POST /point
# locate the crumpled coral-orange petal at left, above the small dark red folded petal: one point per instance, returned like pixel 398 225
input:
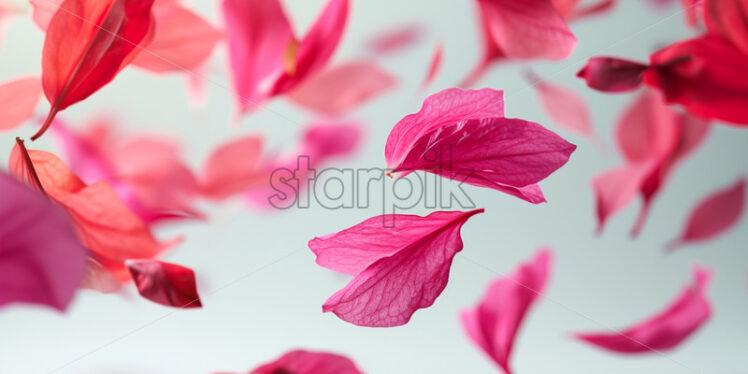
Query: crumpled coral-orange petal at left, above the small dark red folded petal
pixel 102 221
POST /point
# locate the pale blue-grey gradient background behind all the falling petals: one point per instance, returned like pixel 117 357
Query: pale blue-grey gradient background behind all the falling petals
pixel 263 292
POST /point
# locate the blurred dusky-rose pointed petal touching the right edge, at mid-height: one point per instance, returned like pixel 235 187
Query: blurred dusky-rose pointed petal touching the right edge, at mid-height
pixel 714 215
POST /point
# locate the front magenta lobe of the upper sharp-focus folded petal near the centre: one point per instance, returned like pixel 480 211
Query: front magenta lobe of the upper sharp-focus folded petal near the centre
pixel 498 153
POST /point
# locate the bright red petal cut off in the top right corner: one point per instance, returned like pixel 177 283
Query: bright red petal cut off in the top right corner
pixel 729 19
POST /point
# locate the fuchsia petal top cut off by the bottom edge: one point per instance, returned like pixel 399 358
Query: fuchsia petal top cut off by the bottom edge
pixel 305 362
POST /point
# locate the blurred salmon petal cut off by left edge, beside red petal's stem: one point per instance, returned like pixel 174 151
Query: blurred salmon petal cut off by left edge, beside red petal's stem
pixel 19 97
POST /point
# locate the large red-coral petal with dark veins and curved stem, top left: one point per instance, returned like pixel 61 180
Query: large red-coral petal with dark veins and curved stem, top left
pixel 87 43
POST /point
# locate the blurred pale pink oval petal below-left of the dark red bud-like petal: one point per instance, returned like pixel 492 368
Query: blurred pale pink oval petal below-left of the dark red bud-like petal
pixel 565 107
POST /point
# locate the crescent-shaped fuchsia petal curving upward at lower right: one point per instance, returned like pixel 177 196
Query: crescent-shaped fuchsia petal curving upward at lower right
pixel 668 328
